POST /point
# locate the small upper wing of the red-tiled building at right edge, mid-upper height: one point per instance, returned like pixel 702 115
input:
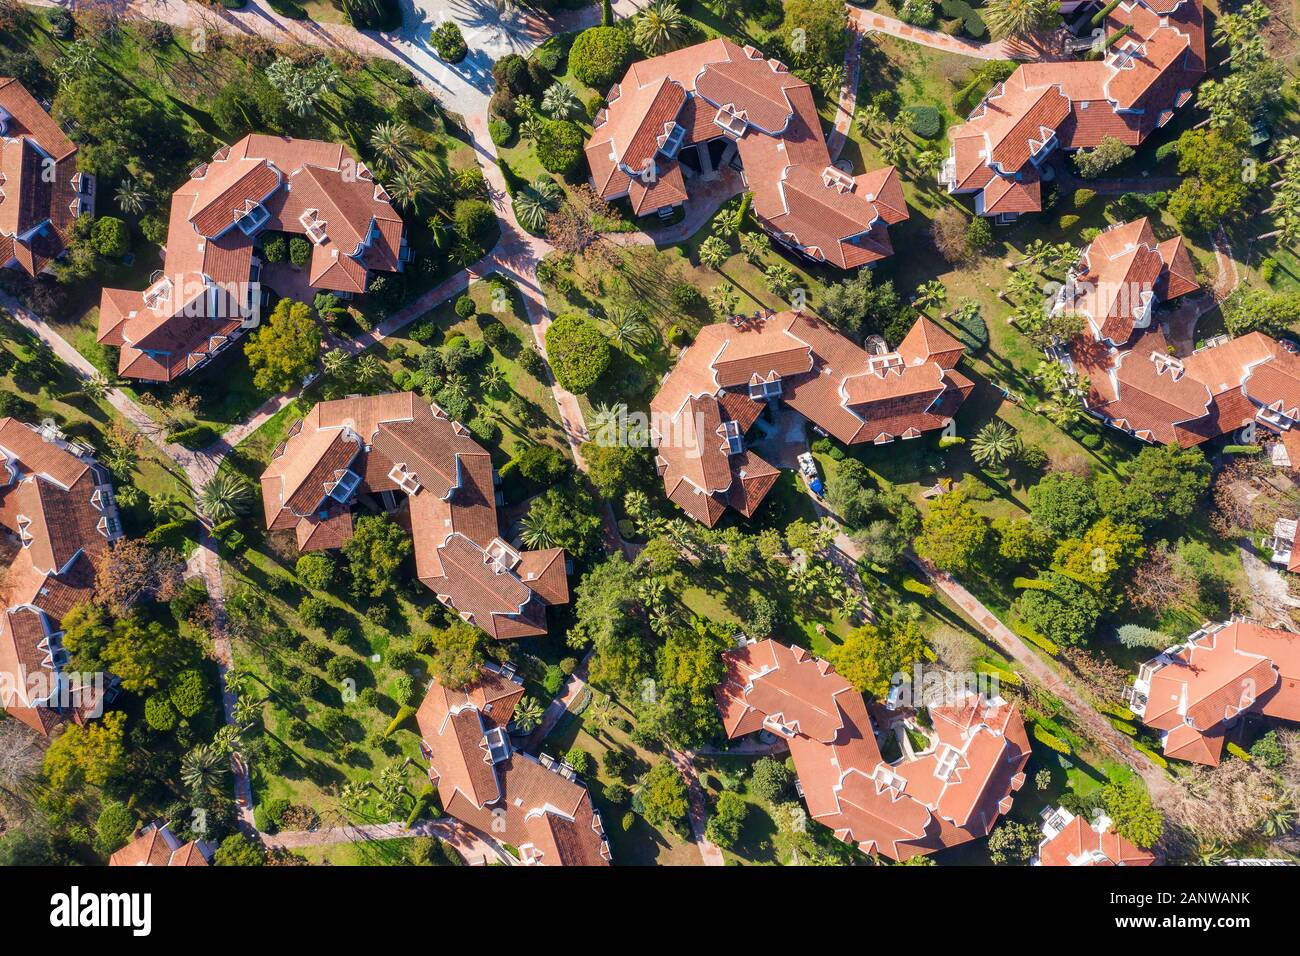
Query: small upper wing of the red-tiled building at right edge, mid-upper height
pixel 1121 278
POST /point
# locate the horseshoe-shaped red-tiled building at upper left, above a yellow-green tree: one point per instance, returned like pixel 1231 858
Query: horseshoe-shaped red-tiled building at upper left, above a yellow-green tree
pixel 209 292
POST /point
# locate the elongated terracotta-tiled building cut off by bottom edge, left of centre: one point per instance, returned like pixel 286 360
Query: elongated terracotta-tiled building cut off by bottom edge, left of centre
pixel 536 806
